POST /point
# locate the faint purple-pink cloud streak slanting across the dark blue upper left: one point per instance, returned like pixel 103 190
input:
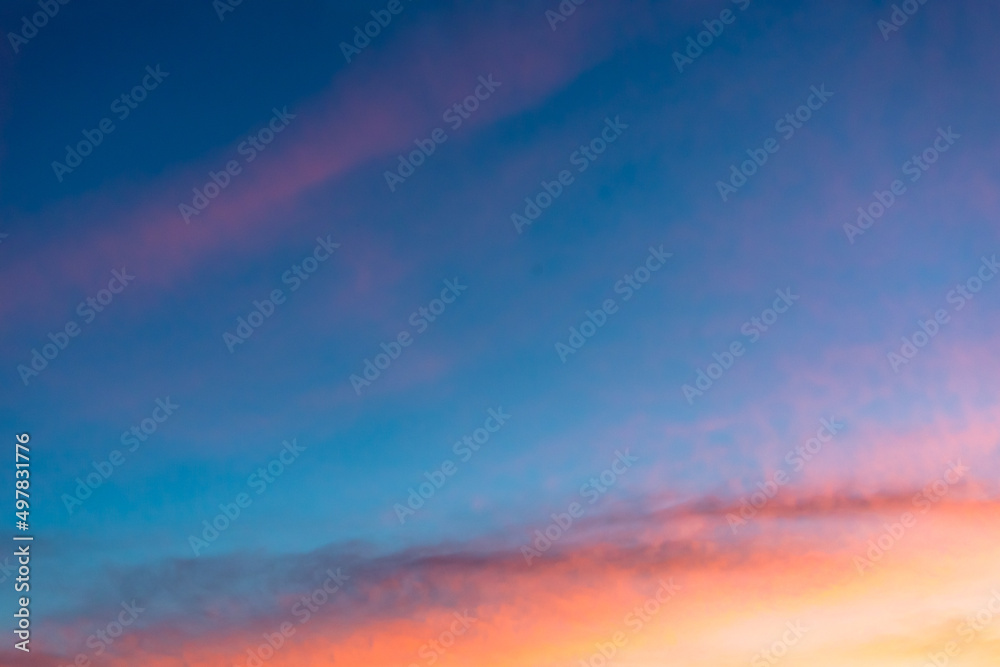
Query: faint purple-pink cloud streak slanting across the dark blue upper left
pixel 373 109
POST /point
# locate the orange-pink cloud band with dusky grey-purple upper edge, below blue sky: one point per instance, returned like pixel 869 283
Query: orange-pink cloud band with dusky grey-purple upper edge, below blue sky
pixel 798 554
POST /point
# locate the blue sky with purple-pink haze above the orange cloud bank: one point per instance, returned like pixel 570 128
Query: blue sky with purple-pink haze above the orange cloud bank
pixel 323 176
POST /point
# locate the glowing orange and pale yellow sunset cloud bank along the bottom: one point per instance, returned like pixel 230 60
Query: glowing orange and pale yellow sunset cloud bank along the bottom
pixel 792 586
